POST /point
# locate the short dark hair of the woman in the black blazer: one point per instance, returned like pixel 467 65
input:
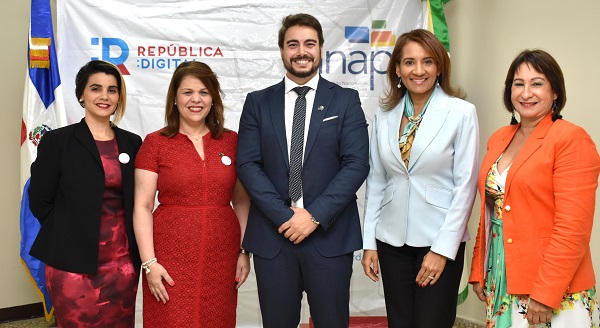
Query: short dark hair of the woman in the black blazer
pixel 100 66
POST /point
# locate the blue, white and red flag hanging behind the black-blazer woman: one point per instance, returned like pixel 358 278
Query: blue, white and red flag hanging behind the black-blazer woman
pixel 43 110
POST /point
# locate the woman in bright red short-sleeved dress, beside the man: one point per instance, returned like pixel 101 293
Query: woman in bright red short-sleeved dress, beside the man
pixel 192 240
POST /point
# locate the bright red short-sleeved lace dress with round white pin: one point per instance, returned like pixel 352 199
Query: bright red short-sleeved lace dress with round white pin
pixel 196 232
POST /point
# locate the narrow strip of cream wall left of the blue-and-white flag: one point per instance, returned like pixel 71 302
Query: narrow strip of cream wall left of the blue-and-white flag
pixel 15 288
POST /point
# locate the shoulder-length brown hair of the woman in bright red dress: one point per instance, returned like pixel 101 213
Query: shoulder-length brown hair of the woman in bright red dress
pixel 215 118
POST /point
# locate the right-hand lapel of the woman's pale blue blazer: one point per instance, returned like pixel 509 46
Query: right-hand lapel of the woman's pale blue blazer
pixel 433 120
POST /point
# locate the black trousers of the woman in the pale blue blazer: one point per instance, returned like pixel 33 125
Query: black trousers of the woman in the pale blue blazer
pixel 408 305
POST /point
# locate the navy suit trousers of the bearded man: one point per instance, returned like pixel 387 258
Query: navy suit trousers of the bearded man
pixel 298 268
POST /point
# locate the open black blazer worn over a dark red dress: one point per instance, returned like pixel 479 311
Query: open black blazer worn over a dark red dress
pixel 66 193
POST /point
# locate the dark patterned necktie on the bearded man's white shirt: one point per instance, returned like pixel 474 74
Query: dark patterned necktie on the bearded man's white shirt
pixel 297 144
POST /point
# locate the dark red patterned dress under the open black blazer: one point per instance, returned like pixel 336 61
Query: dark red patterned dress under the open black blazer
pixel 107 298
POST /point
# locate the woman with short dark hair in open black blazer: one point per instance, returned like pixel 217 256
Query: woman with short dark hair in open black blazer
pixel 81 191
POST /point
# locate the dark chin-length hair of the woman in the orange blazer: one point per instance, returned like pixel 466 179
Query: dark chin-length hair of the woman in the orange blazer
pixel 544 63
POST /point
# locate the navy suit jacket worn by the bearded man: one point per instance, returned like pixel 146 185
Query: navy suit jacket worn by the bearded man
pixel 336 163
